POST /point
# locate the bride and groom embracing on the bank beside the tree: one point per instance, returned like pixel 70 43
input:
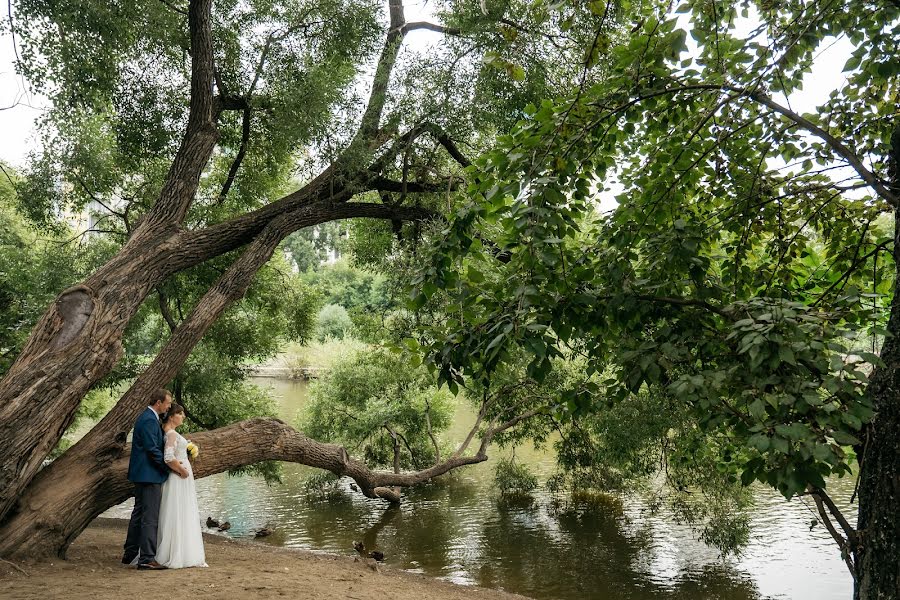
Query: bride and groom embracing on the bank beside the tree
pixel 164 531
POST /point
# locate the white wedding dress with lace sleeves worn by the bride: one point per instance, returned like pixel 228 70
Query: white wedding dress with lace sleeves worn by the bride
pixel 180 542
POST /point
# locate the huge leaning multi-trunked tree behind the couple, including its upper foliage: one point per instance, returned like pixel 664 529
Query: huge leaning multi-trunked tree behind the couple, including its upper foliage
pixel 187 124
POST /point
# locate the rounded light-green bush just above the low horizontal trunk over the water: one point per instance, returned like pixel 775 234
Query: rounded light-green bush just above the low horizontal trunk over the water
pixel 374 397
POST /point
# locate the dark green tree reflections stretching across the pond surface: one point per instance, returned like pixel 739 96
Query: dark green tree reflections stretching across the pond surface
pixel 457 528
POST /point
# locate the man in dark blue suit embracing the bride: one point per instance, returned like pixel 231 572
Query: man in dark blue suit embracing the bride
pixel 147 470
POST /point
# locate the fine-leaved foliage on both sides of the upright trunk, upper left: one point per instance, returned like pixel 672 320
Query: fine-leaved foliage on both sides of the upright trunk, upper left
pixel 118 82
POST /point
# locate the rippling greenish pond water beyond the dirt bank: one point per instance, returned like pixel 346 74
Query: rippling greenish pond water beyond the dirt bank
pixel 456 530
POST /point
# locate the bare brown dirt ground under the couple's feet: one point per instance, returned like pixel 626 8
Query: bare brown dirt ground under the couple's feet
pixel 237 569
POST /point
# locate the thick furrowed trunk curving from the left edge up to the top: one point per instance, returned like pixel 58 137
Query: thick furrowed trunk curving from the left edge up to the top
pixel 78 340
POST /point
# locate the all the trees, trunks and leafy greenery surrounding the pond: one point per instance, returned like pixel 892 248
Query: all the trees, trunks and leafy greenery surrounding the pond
pixel 602 224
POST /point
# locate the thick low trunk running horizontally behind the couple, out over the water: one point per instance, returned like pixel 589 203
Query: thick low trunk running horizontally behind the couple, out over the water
pixel 54 509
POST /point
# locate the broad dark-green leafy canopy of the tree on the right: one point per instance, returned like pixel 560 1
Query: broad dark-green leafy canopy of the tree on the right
pixel 732 276
